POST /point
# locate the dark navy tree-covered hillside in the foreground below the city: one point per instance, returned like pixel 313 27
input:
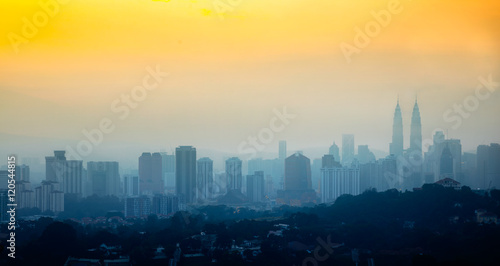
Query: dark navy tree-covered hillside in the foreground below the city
pixel 431 226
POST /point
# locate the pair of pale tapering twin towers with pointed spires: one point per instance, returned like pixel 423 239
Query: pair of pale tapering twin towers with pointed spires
pixel 396 147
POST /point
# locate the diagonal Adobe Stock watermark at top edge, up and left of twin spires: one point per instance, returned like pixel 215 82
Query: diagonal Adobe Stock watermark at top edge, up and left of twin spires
pixel 372 29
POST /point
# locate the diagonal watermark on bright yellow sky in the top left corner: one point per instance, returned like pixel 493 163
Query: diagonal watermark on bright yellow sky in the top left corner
pixel 40 19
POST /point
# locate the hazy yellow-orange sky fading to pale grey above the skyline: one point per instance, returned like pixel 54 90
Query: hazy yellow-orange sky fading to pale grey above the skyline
pixel 227 75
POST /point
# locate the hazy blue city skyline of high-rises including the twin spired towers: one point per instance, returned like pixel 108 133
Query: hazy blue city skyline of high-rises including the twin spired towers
pixel 165 183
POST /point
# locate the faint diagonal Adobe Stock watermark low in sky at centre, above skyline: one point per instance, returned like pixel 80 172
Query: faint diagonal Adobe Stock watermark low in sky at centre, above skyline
pixel 266 135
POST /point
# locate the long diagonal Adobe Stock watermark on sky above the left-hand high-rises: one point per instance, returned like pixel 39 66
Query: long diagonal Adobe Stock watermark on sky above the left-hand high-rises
pixel 121 107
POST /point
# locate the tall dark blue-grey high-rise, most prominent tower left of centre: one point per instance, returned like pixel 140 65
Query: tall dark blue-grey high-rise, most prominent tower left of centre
pixel 185 173
